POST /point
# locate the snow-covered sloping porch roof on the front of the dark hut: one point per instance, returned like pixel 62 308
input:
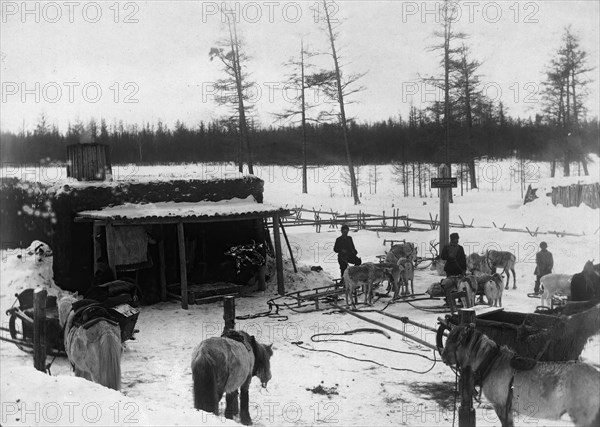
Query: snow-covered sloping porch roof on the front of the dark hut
pixel 185 210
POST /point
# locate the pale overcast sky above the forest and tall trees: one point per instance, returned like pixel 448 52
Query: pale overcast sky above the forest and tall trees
pixel 144 61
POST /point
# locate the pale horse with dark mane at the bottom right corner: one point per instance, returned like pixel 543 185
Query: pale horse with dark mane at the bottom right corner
pixel 551 389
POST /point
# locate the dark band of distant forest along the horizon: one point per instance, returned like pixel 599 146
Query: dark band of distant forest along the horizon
pixel 420 139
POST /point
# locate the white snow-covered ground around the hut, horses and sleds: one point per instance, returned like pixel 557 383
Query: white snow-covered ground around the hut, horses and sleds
pixel 308 387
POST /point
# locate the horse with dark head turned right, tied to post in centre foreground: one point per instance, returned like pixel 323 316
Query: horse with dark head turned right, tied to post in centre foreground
pixel 224 365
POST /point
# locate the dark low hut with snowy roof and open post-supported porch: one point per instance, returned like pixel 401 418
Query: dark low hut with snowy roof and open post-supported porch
pixel 176 238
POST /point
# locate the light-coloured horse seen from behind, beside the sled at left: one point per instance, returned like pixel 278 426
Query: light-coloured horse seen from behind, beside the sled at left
pixel 92 342
